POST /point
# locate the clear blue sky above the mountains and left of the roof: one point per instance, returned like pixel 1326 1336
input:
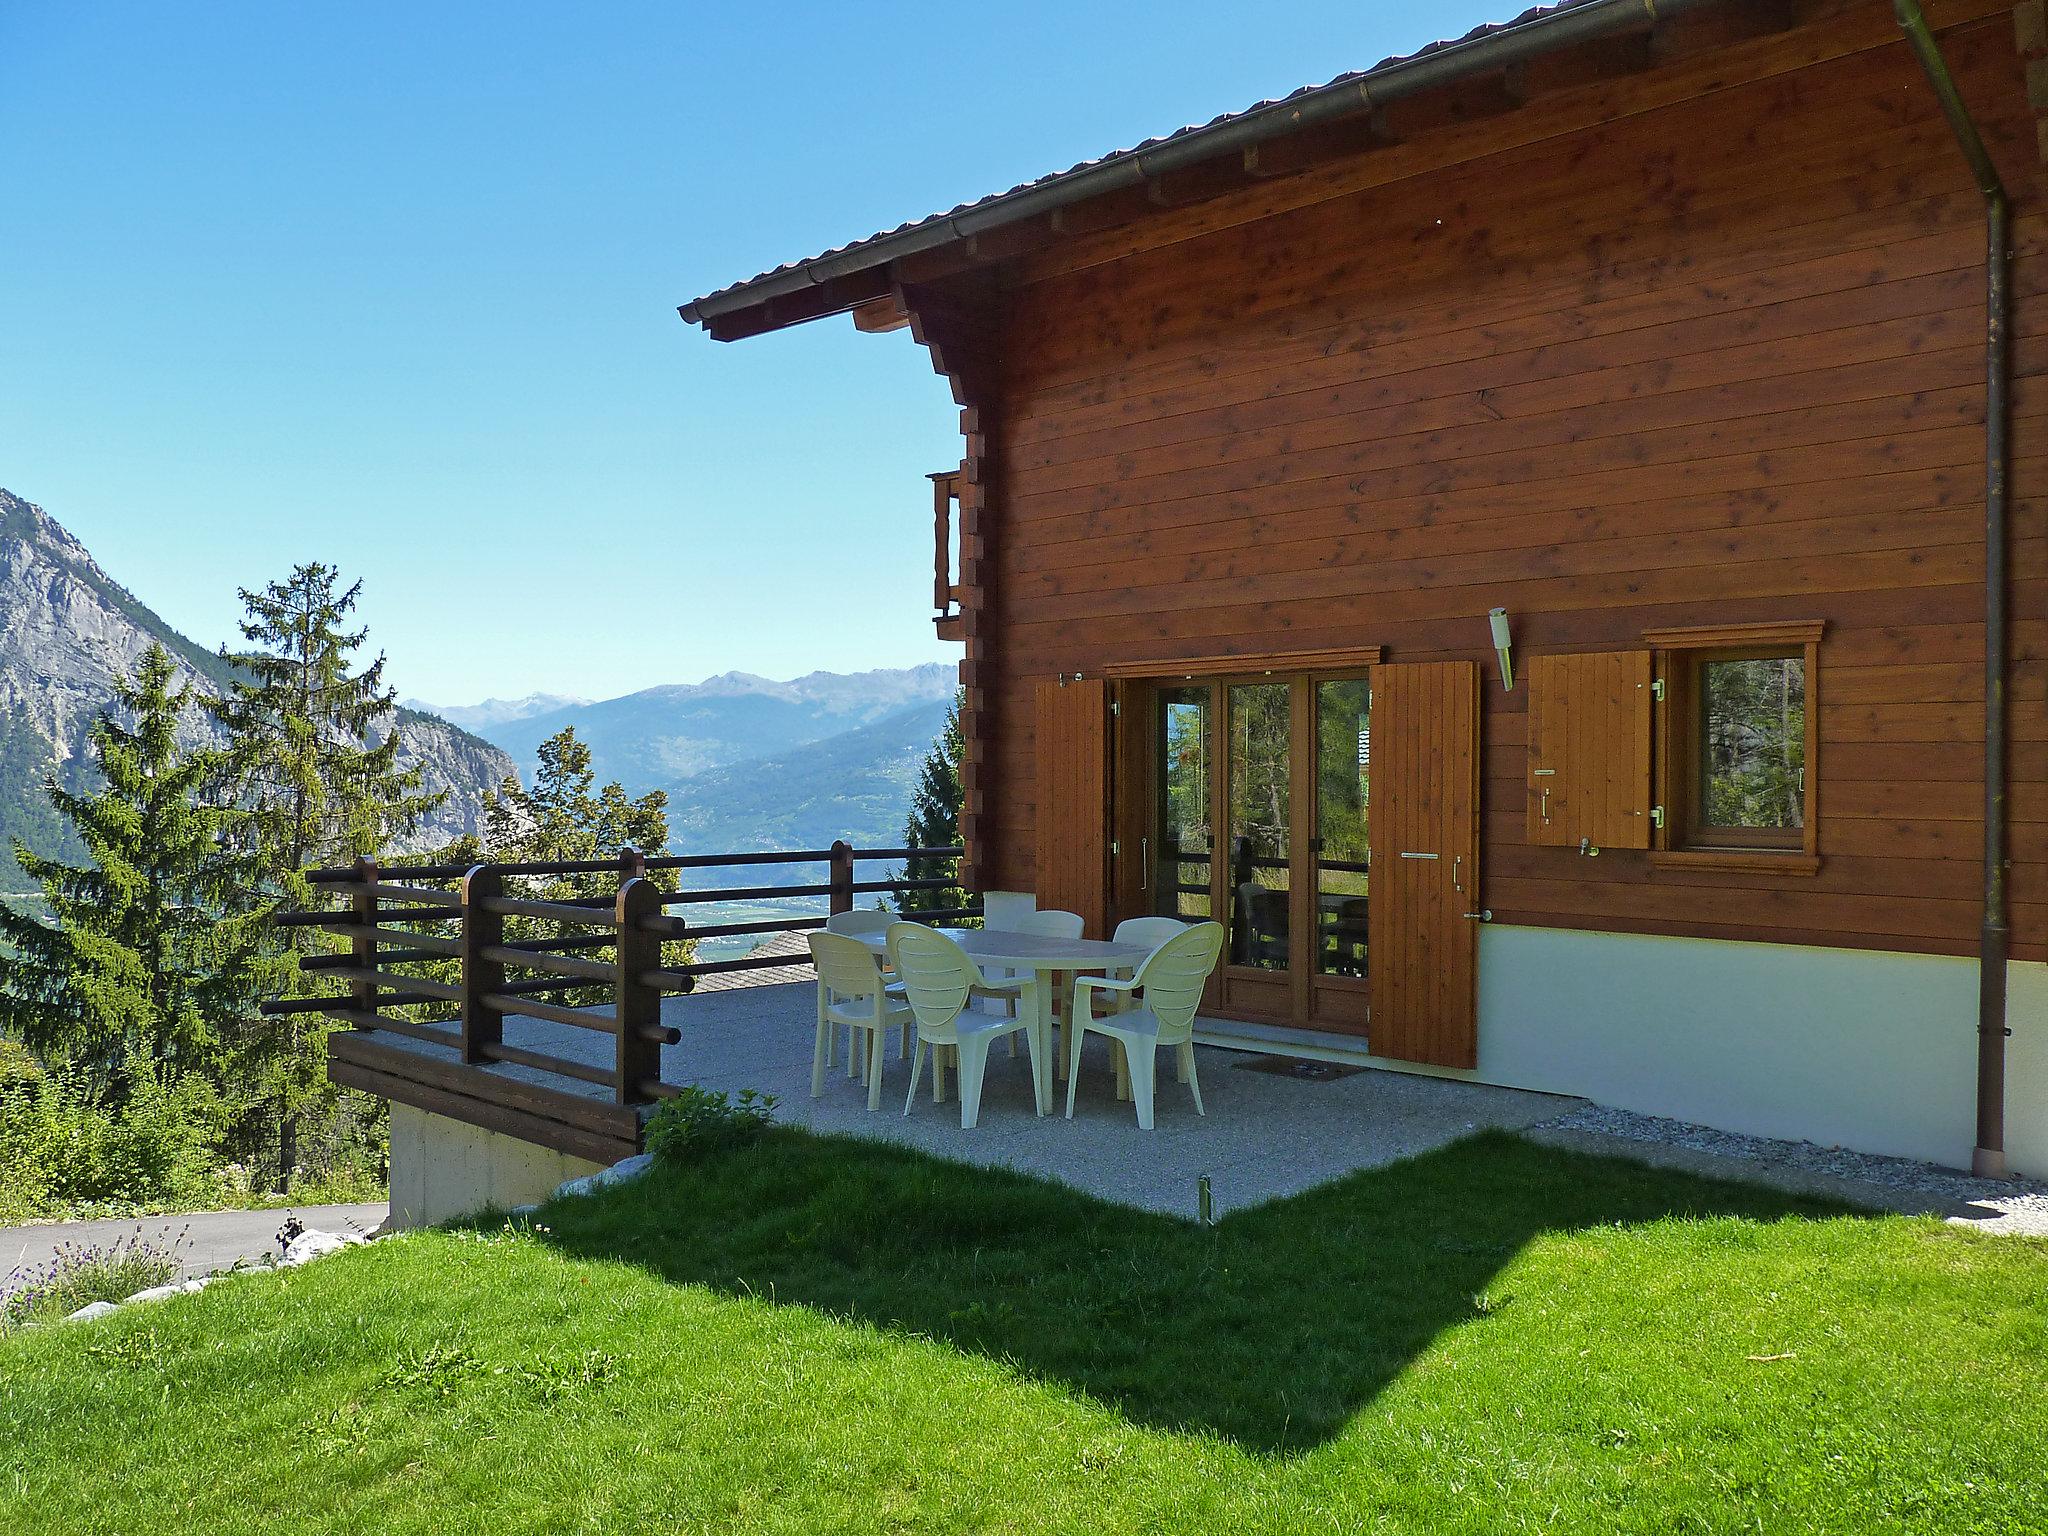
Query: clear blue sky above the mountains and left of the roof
pixel 396 288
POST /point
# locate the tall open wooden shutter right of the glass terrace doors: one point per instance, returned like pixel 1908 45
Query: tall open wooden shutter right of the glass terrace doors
pixel 1422 955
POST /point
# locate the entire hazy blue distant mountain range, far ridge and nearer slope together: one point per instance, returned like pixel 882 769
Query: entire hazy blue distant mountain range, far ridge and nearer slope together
pixel 755 763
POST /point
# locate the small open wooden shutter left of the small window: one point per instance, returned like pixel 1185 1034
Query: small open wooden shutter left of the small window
pixel 1590 751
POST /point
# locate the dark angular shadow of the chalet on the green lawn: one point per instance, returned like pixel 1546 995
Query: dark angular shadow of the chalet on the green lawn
pixel 1271 1328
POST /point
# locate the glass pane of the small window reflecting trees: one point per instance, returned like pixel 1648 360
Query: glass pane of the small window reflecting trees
pixel 1754 744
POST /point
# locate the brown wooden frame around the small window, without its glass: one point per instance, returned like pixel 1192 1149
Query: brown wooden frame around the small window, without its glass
pixel 1682 843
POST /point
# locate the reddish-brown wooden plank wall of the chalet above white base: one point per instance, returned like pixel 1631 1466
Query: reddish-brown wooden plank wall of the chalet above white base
pixel 1713 359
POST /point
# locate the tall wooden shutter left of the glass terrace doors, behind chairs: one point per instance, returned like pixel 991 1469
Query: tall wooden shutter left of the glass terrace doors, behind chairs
pixel 1074 800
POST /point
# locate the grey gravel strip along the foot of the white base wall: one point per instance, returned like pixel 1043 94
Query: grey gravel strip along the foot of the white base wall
pixel 1891 1183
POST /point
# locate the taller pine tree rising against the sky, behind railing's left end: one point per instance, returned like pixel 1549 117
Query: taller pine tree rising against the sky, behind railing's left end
pixel 314 785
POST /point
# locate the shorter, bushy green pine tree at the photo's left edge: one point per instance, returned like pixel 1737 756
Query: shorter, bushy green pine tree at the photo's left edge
pixel 153 945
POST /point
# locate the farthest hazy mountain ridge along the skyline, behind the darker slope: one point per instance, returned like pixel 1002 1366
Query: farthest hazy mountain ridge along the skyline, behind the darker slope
pixel 660 736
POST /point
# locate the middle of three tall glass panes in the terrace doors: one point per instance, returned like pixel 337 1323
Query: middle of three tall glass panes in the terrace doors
pixel 1261 716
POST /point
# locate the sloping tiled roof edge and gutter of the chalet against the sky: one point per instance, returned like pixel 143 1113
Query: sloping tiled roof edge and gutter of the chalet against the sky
pixel 1359 91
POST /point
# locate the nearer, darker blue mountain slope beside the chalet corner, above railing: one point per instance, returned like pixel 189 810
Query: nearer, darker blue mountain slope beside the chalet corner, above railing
pixel 853 785
